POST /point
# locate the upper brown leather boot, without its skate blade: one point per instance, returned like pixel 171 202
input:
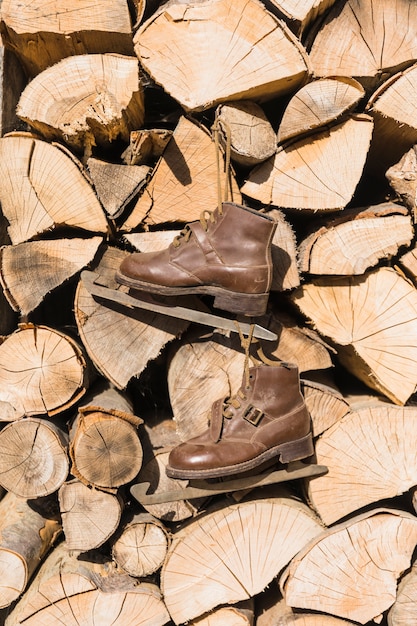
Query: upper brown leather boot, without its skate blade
pixel 227 254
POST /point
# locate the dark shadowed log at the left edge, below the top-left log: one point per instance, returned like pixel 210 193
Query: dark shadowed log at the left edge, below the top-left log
pixel 12 83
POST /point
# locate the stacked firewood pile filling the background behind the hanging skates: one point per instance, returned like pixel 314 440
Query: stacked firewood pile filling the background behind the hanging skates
pixel 106 147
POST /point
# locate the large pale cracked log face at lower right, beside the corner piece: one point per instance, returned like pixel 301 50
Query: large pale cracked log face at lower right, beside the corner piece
pixel 360 560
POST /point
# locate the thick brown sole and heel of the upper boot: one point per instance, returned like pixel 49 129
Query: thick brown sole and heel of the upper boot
pixel 253 305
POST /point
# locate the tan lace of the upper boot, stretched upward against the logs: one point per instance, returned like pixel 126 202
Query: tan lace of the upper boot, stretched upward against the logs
pixel 206 216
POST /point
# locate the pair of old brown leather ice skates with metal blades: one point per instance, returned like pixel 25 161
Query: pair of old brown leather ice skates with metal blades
pixel 227 255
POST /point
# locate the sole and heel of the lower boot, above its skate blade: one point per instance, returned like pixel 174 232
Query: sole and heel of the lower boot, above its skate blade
pixel 291 451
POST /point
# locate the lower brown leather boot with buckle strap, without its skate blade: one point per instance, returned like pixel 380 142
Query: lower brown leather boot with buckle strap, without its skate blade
pixel 267 418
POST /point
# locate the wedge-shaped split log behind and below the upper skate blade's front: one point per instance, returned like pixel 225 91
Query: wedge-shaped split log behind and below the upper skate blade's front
pixel 120 342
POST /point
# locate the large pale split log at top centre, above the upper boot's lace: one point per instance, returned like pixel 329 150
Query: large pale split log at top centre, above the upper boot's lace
pixel 227 52
